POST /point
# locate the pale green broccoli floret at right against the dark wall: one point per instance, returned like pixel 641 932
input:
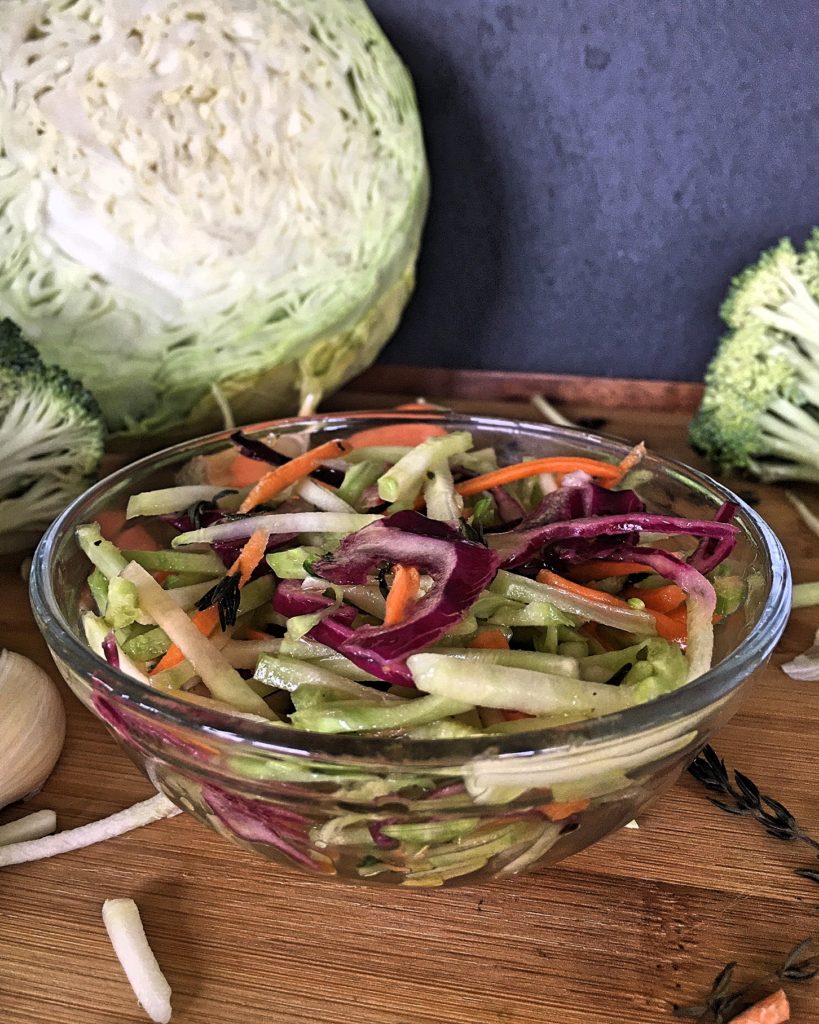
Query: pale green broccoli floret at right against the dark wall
pixel 760 410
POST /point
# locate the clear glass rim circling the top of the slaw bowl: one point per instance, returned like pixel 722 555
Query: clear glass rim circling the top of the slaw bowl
pixel 709 690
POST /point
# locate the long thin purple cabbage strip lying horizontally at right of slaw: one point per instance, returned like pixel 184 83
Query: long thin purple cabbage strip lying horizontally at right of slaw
pixel 518 547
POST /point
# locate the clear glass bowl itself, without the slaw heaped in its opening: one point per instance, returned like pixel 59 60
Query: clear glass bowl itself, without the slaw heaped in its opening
pixel 408 813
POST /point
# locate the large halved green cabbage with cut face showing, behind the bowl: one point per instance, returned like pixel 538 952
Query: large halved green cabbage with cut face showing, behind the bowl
pixel 199 192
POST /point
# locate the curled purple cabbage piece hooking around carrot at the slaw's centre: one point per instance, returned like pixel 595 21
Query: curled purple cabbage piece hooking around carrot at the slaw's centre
pixel 460 570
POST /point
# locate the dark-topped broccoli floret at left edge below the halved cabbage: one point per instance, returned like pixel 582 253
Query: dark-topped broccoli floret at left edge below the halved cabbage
pixel 52 440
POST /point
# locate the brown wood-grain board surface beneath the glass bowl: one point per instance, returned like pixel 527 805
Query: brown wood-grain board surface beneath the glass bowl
pixel 615 935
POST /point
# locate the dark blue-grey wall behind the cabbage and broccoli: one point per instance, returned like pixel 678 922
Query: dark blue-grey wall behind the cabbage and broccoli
pixel 600 170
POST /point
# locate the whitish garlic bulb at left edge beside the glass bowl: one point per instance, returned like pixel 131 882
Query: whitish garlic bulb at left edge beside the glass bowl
pixel 32 728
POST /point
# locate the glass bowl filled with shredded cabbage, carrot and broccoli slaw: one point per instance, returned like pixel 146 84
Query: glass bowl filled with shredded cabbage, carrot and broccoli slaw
pixel 413 649
